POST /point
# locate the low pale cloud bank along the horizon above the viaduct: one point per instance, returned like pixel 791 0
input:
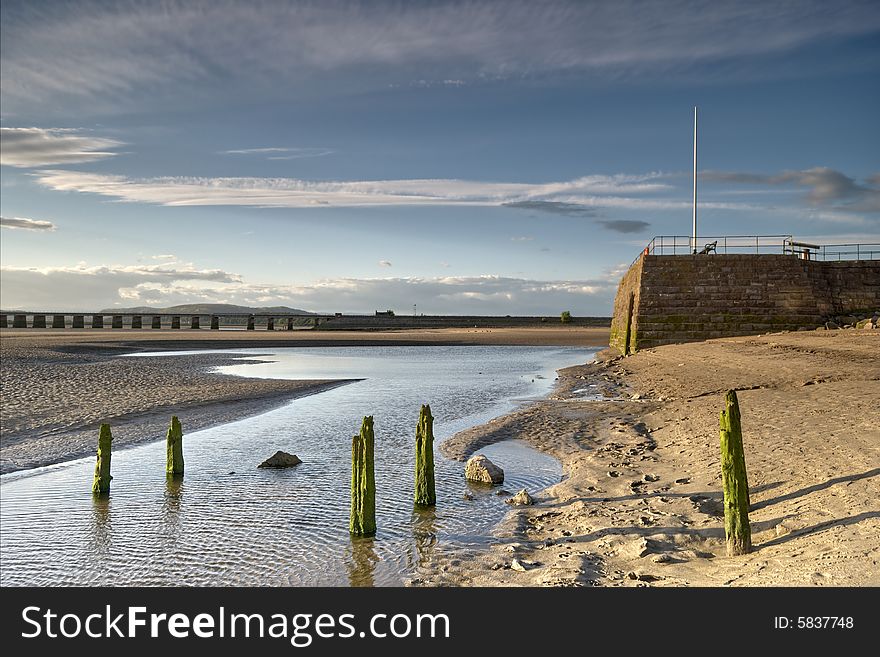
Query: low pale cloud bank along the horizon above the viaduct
pixel 101 286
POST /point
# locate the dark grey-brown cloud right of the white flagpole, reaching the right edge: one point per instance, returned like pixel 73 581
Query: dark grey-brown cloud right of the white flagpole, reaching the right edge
pixel 827 187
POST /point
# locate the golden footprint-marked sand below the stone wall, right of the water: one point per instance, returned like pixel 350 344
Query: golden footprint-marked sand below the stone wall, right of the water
pixel 640 502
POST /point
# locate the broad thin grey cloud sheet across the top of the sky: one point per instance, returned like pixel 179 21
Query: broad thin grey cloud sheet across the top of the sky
pixel 101 50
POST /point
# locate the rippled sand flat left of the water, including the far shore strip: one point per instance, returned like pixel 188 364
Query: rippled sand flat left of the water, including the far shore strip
pixel 58 386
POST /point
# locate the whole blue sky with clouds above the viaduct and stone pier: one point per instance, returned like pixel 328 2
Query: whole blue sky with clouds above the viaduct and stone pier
pixel 448 157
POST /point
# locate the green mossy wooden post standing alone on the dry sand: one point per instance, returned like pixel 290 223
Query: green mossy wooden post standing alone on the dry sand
pixel 734 480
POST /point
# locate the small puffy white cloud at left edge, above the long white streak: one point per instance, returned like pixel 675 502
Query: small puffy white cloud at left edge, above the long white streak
pixel 36 147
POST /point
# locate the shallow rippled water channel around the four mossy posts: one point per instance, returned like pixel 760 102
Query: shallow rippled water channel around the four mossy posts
pixel 229 523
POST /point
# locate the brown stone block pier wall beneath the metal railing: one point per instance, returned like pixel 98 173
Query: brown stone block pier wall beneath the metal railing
pixel 690 298
